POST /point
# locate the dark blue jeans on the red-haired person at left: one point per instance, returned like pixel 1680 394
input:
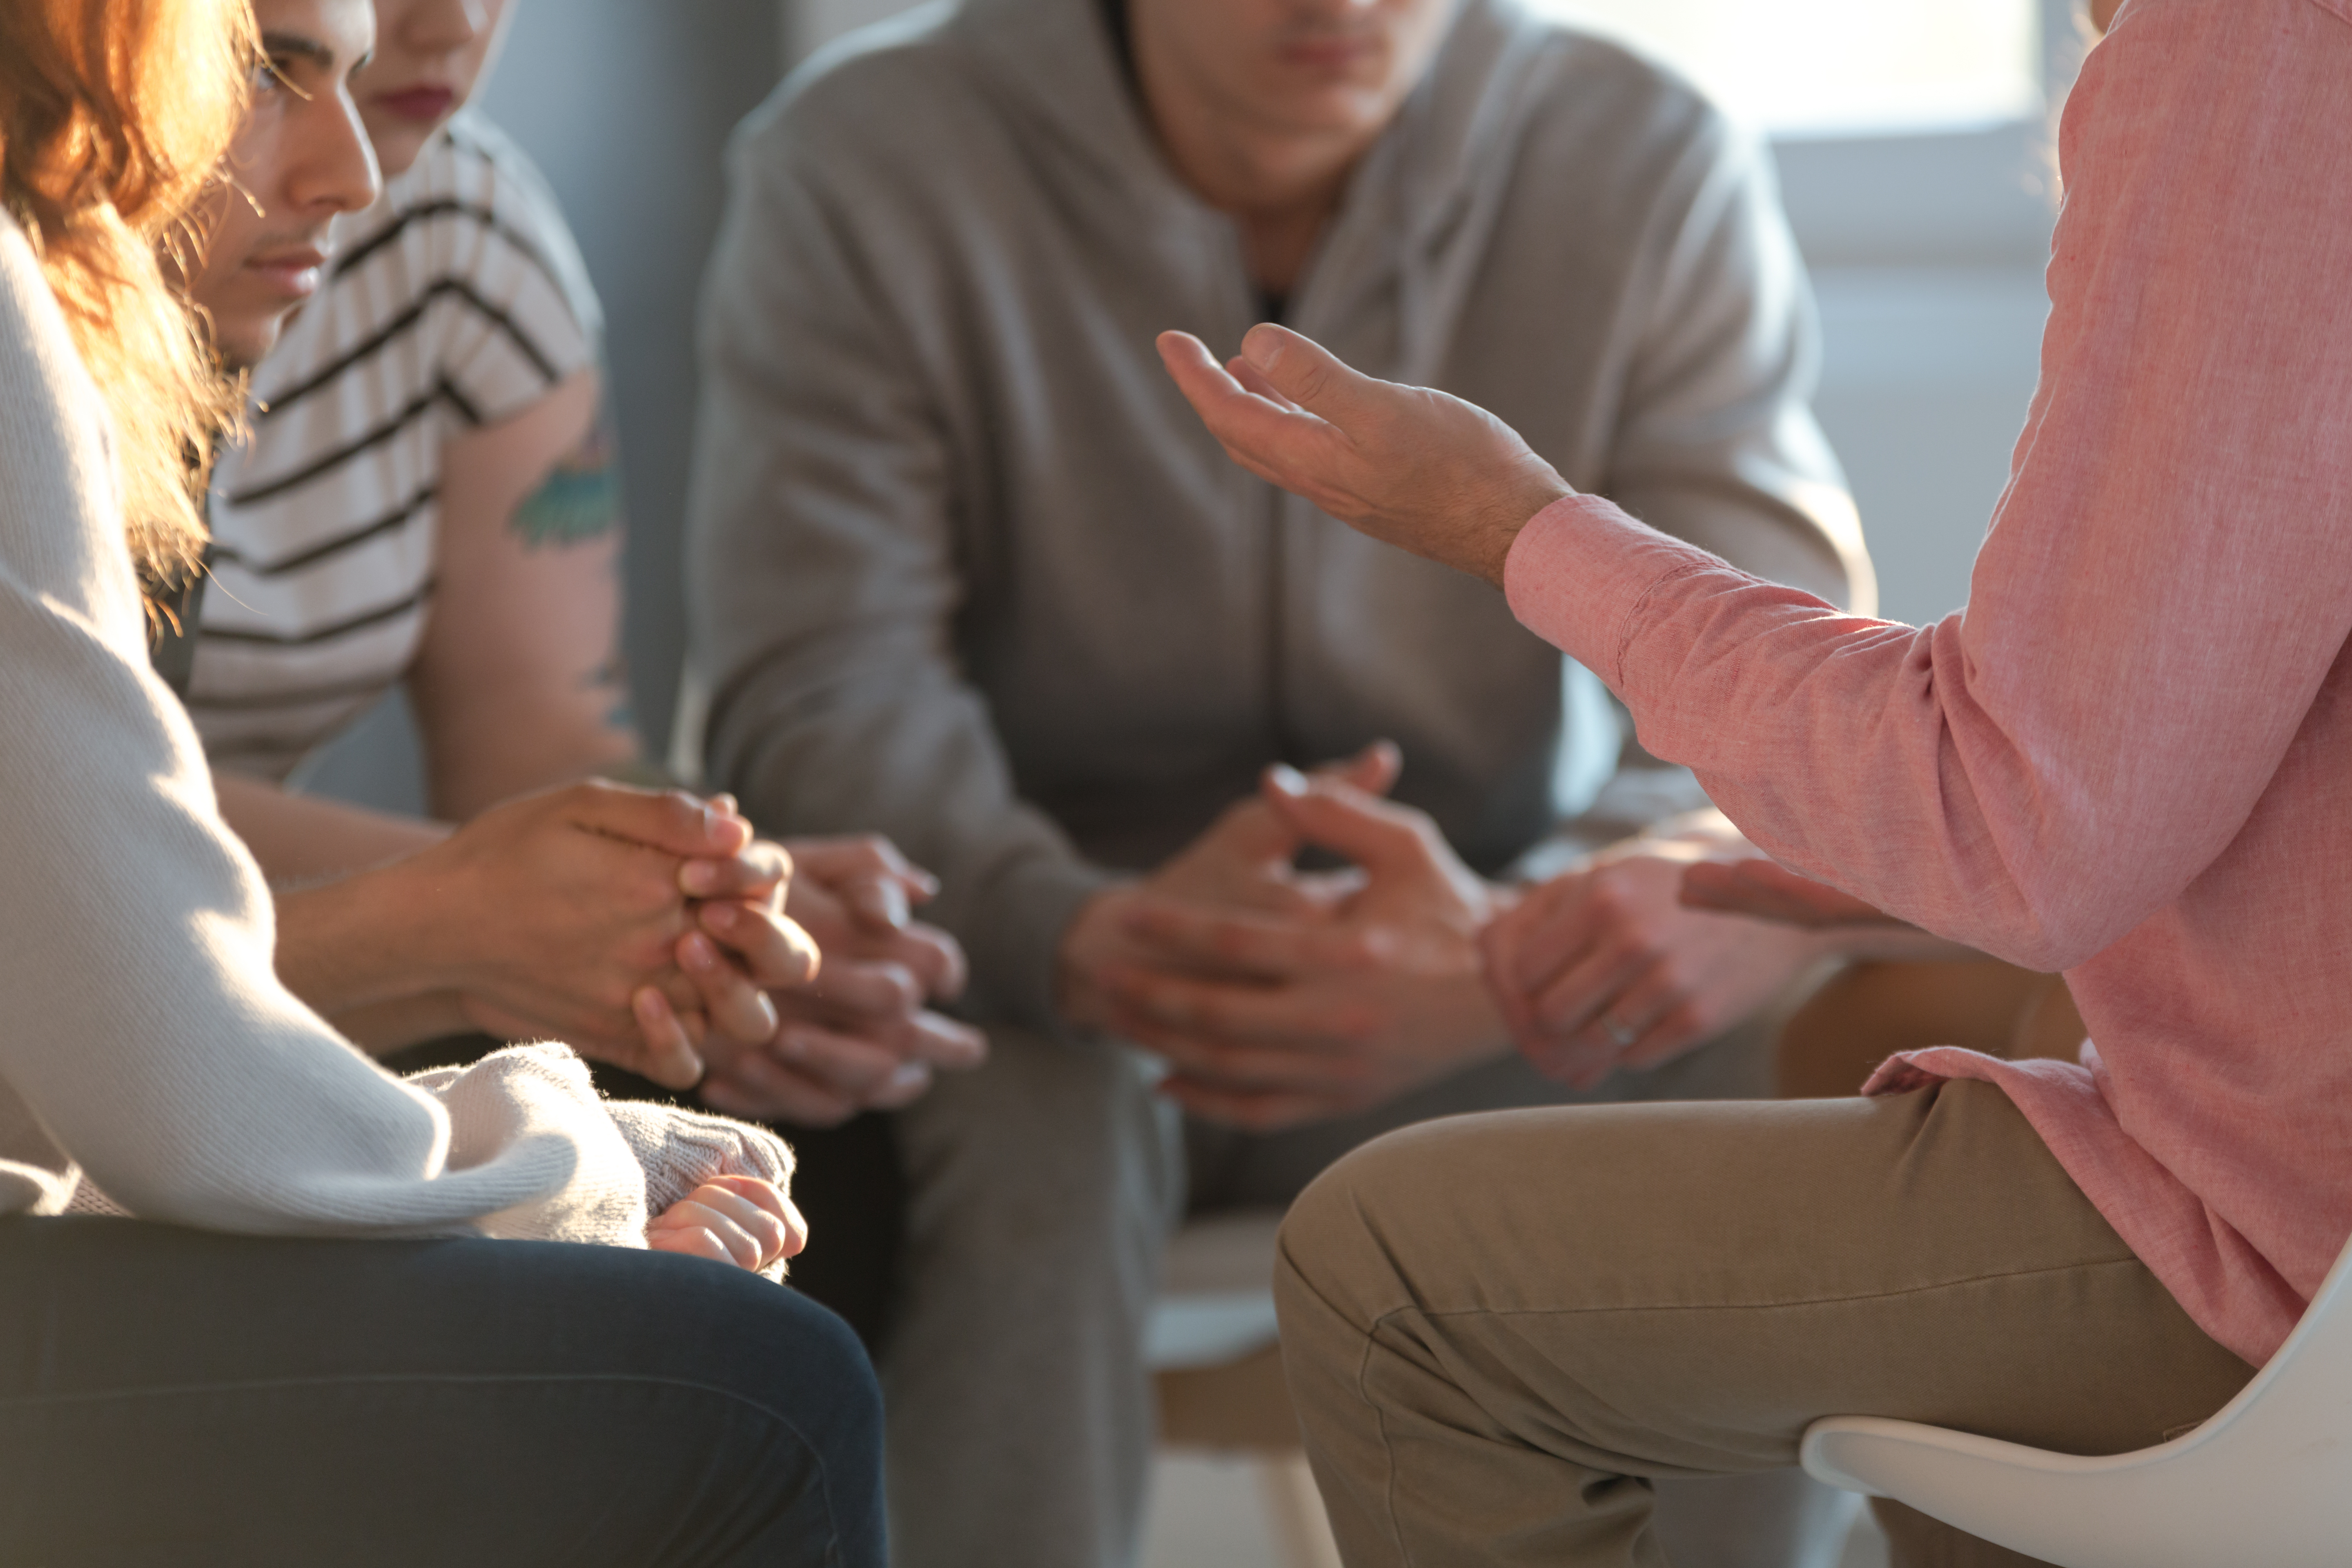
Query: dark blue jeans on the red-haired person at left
pixel 194 1400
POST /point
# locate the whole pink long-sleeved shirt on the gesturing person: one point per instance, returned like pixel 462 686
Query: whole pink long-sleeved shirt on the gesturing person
pixel 2130 756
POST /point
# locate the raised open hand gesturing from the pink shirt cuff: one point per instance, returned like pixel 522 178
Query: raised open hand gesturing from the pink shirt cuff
pixel 1410 467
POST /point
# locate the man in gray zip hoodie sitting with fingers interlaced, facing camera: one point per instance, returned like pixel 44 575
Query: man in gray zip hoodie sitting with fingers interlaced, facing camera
pixel 965 570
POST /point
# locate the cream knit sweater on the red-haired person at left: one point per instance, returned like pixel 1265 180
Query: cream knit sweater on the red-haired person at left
pixel 147 1047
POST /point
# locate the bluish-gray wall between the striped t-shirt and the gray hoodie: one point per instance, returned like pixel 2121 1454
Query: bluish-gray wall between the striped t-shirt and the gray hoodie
pixel 624 105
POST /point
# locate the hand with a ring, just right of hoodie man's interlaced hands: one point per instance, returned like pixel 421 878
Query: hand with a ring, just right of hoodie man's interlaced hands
pixel 1605 967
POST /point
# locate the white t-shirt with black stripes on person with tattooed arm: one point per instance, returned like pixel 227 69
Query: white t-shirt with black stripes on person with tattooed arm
pixel 455 302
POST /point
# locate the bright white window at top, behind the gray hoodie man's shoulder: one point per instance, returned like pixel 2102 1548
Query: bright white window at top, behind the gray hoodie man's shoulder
pixel 1840 67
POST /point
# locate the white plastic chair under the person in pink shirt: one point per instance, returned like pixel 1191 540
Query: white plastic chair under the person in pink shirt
pixel 2266 1482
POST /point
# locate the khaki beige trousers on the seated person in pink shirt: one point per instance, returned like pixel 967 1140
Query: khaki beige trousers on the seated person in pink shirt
pixel 1502 1329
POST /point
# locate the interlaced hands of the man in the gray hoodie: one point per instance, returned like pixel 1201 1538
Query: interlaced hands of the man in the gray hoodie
pixel 1281 996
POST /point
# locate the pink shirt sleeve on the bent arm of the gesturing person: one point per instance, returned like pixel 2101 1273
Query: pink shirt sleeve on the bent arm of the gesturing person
pixel 2167 579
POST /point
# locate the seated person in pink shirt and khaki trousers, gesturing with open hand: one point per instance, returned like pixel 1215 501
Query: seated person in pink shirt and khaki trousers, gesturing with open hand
pixel 2130 760
